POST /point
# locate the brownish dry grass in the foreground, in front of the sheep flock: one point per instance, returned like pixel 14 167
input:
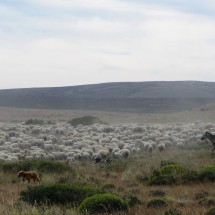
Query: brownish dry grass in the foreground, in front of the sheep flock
pixel 121 177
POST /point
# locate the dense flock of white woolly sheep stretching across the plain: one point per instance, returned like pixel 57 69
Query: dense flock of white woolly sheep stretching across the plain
pixel 61 141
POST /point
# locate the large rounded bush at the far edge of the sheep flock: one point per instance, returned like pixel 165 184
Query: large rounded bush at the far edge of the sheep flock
pixel 85 120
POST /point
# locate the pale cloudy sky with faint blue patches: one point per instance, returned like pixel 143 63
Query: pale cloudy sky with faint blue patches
pixel 51 43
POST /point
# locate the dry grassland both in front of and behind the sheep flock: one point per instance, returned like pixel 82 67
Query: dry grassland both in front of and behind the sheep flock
pixel 122 179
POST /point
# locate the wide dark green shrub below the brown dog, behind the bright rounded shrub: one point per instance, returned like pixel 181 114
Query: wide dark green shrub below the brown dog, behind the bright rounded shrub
pixel 58 194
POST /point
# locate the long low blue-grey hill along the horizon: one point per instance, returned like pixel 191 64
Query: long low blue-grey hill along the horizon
pixel 147 97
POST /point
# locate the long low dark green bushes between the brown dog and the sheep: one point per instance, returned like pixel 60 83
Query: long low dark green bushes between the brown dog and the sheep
pixel 41 166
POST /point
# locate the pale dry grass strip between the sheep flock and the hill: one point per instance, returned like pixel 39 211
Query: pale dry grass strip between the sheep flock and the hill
pixel 21 114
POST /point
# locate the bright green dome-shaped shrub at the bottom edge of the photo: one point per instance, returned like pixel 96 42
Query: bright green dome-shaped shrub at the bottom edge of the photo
pixel 103 203
